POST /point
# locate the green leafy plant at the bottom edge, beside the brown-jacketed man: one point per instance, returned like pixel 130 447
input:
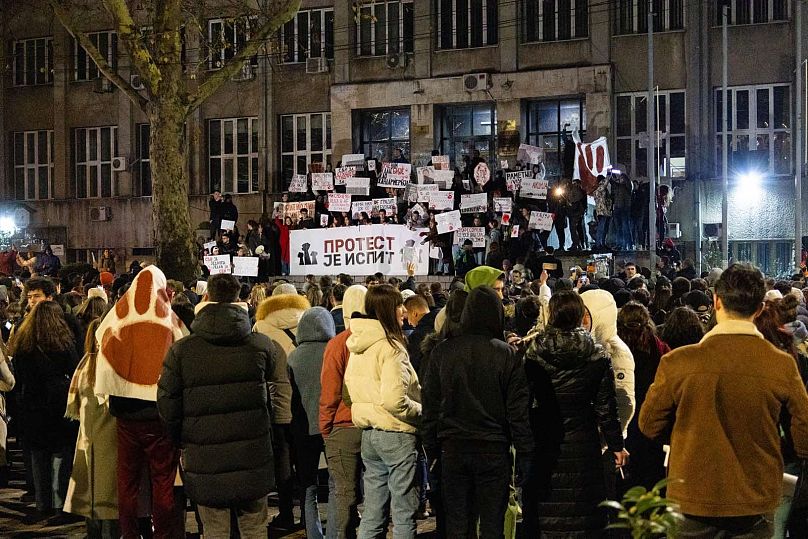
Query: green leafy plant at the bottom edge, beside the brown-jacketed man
pixel 646 514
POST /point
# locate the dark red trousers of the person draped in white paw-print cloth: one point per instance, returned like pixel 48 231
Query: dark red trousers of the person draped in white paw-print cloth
pixel 142 443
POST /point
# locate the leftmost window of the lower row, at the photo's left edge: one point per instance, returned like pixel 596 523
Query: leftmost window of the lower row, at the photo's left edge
pixel 33 165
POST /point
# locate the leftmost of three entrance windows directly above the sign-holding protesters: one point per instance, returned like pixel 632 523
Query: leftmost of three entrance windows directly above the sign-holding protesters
pixel 380 131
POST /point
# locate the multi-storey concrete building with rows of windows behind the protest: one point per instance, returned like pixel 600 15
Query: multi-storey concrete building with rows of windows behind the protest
pixel 395 74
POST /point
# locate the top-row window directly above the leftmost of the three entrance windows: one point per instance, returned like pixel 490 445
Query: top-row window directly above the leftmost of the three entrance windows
pixel 385 28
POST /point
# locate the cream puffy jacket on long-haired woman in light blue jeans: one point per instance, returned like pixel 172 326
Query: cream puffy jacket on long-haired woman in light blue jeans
pixel 382 385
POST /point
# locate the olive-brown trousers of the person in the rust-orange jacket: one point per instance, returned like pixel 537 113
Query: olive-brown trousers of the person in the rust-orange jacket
pixel 343 453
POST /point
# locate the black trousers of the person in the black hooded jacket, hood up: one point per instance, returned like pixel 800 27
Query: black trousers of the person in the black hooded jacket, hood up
pixel 475 484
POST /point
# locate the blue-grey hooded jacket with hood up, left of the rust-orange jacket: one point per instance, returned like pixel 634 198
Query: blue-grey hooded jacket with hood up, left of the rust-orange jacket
pixel 315 329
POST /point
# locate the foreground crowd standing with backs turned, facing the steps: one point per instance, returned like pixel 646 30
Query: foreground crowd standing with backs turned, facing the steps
pixel 131 394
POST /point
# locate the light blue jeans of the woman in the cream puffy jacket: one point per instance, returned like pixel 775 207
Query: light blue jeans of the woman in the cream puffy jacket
pixel 389 459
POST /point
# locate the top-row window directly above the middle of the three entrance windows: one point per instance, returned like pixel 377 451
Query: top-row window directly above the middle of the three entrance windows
pixel 466 23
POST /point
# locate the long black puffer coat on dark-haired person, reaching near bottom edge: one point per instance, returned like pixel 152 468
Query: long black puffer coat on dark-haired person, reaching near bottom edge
pixel 572 390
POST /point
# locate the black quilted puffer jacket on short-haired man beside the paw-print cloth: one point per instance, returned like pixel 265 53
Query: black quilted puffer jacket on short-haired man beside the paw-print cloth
pixel 213 397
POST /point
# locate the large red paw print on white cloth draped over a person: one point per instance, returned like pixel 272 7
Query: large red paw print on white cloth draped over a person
pixel 136 343
